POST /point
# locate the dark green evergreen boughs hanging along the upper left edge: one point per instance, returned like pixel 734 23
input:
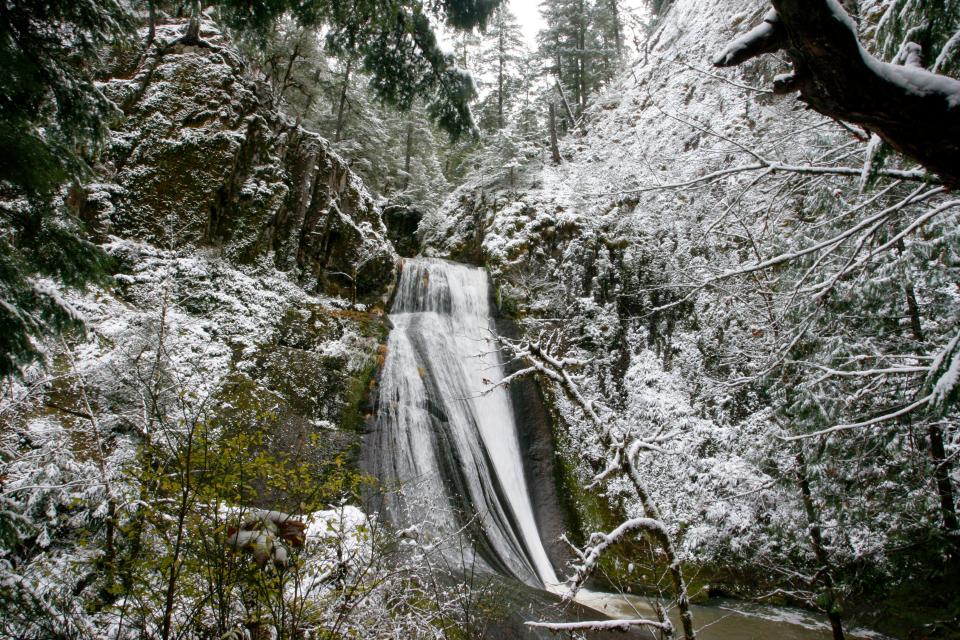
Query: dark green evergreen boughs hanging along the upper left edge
pixel 51 121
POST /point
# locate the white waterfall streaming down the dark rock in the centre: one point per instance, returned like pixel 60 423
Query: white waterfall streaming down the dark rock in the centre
pixel 445 436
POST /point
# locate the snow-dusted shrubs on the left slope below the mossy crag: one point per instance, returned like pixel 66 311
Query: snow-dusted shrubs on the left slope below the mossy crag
pixel 180 342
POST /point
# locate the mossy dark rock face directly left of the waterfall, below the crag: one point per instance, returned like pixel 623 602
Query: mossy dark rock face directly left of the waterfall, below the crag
pixel 301 395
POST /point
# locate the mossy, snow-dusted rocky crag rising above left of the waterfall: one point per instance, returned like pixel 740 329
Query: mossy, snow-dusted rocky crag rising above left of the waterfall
pixel 199 159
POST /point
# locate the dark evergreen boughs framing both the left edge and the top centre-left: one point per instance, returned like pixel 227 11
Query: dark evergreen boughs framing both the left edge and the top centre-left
pixel 53 117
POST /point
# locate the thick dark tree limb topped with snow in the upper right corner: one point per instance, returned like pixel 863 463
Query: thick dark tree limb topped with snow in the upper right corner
pixel 915 111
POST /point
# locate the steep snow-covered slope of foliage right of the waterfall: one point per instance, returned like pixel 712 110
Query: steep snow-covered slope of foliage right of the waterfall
pixel 762 283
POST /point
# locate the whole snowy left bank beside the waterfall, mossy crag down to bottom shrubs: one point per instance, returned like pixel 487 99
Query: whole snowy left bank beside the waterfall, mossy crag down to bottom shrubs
pixel 220 368
